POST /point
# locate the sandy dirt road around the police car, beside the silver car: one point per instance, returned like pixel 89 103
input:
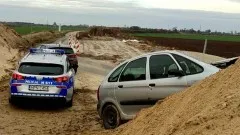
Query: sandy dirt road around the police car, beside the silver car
pixel 46 118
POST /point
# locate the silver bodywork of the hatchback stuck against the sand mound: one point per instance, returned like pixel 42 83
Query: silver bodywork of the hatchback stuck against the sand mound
pixel 135 95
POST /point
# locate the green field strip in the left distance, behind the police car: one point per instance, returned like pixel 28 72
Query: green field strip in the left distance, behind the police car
pixel 23 30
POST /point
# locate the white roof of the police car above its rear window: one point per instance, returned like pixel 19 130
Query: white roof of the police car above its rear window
pixel 45 58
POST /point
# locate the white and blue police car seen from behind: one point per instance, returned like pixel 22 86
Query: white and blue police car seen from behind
pixel 43 73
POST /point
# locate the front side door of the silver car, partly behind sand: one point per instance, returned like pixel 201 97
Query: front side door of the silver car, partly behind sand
pixel 162 84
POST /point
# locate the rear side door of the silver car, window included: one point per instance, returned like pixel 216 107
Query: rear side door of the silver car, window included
pixel 131 90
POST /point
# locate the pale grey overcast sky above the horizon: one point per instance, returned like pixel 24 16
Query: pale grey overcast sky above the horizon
pixel 221 15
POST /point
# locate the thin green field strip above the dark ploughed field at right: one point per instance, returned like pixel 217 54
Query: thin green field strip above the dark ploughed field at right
pixel 191 36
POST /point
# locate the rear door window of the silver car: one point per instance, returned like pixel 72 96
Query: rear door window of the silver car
pixel 134 71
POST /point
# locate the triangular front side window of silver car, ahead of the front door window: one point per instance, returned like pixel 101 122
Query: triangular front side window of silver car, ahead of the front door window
pixel 188 66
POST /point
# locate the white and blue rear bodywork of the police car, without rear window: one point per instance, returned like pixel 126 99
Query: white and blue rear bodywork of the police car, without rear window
pixel 20 88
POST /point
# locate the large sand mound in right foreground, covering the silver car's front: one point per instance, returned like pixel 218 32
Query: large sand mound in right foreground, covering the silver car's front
pixel 209 107
